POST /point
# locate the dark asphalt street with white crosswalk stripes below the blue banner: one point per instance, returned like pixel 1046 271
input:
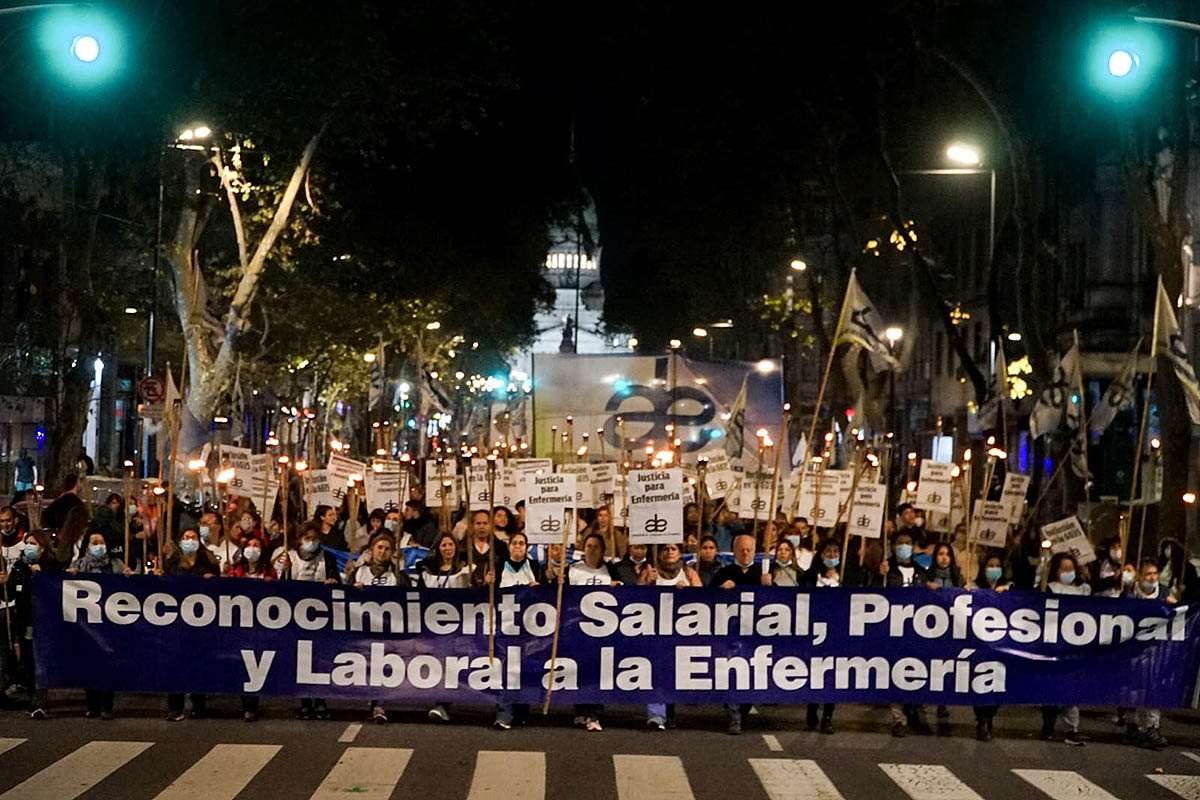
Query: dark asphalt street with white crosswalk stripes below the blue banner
pixel 140 756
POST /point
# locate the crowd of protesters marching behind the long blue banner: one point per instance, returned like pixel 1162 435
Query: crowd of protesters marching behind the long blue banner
pixel 489 549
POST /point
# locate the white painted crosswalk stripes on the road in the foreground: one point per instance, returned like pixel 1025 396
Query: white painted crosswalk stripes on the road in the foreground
pixel 376 773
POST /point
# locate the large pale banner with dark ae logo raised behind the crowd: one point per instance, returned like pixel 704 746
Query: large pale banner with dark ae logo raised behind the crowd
pixel 651 393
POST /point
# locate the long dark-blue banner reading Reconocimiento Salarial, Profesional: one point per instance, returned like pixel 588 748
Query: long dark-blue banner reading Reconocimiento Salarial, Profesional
pixel 623 645
